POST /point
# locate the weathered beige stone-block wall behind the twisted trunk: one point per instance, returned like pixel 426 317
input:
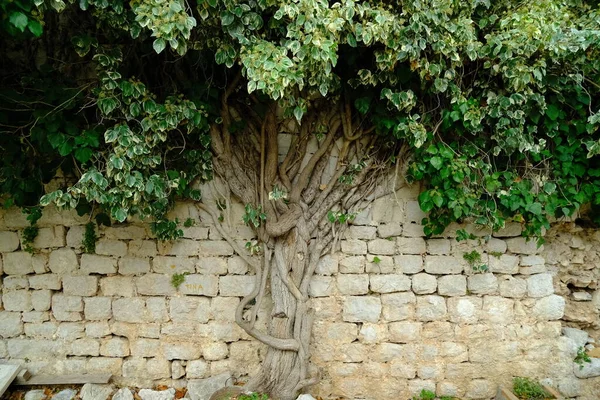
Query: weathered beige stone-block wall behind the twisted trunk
pixel 395 312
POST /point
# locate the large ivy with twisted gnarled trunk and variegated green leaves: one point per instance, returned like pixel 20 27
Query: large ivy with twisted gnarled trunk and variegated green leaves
pixel 492 106
